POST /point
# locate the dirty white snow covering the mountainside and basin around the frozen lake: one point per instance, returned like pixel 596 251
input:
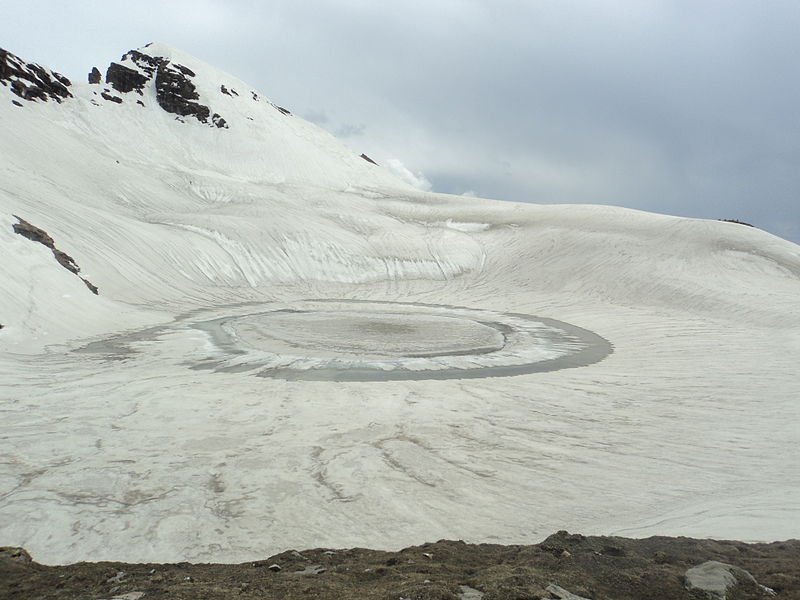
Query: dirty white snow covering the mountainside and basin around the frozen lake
pixel 186 196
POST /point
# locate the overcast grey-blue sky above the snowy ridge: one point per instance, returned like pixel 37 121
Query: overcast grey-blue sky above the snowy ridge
pixel 687 107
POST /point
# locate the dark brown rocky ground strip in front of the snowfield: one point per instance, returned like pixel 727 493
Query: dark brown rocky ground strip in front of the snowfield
pixel 566 566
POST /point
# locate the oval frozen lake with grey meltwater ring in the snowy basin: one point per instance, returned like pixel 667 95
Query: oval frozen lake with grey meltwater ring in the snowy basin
pixel 381 341
